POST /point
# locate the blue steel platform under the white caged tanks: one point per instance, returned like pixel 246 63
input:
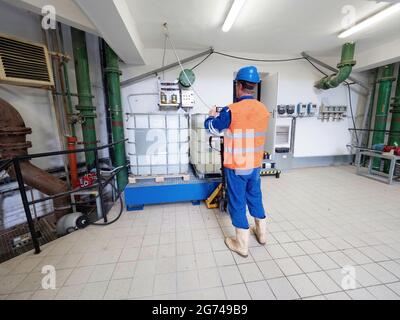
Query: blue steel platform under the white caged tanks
pixel 148 192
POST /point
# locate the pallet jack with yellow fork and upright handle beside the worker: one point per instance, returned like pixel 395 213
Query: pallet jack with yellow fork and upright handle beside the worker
pixel 219 198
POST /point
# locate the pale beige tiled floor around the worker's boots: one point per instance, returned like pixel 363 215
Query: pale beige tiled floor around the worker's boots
pixel 320 220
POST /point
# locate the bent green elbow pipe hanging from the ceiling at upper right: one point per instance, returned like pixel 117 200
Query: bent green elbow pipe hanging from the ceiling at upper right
pixel 345 67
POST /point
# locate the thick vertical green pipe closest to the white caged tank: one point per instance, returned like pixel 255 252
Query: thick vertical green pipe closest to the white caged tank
pixel 115 104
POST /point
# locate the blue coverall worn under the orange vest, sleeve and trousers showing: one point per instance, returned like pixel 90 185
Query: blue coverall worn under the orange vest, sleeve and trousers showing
pixel 244 187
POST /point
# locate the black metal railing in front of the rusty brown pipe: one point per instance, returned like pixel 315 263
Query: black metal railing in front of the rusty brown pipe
pixel 101 184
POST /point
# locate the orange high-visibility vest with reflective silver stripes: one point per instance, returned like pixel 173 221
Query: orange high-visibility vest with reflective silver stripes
pixel 245 138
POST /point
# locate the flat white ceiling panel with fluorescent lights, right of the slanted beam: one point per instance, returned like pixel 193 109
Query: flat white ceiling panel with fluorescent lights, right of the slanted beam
pixel 264 26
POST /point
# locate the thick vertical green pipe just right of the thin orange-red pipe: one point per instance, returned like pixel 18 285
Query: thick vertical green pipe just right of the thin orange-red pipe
pixel 85 107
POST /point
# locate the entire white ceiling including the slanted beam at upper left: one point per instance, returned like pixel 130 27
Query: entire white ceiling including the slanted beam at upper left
pixel 268 27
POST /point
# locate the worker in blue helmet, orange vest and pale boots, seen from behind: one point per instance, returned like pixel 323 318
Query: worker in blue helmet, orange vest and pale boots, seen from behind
pixel 244 125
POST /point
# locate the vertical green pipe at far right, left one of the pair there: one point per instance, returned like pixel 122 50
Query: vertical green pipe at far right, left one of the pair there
pixel 382 109
